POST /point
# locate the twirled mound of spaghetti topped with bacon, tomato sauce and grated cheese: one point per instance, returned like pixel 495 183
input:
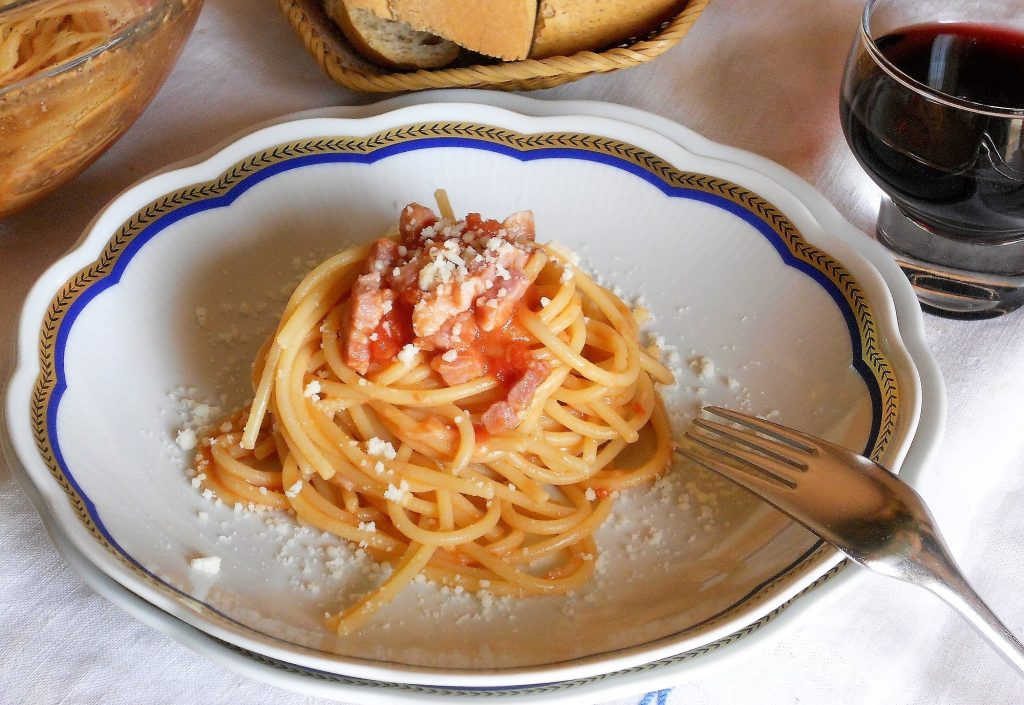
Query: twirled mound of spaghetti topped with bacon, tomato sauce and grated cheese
pixel 456 399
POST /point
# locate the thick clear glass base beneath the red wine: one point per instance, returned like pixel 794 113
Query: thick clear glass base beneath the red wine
pixel 947 291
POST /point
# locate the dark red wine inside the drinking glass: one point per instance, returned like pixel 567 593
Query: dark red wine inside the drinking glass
pixel 960 171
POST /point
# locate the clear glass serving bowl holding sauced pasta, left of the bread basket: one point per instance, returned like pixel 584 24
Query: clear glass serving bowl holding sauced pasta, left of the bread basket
pixel 74 76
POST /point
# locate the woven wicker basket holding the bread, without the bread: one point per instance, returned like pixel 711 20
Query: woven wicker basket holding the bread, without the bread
pixel 347 67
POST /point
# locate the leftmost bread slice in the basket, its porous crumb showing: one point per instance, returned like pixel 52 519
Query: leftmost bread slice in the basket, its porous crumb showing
pixel 388 43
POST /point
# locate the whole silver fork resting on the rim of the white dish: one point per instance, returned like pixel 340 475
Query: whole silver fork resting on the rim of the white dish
pixel 850 502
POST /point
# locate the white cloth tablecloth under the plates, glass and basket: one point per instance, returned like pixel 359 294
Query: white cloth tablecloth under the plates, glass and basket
pixel 762 76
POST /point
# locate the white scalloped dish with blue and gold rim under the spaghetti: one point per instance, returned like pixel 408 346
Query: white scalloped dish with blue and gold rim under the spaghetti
pixel 735 266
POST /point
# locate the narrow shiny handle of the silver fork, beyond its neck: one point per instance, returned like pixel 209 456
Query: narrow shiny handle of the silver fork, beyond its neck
pixel 950 585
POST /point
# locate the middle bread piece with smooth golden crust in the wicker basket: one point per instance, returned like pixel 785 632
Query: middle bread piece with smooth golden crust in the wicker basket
pixel 503 29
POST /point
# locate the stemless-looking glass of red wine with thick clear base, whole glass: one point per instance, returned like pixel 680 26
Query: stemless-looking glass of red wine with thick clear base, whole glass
pixel 933 108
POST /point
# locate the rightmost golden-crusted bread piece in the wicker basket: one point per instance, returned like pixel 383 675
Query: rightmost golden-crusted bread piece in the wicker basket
pixel 565 27
